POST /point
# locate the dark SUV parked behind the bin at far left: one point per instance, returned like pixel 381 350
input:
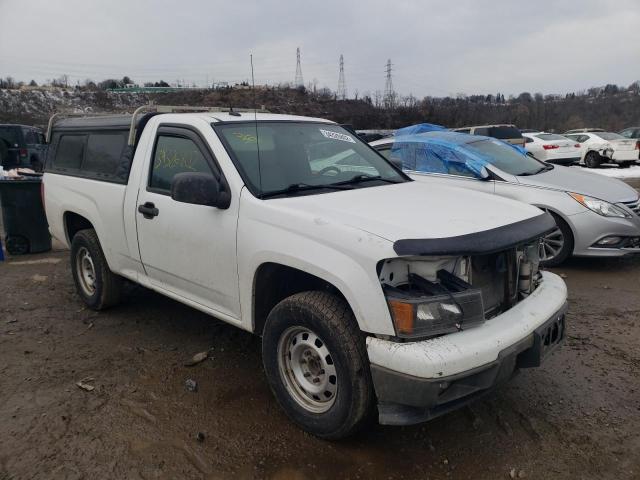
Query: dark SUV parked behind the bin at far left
pixel 22 146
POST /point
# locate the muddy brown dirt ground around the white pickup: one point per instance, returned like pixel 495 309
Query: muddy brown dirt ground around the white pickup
pixel 576 417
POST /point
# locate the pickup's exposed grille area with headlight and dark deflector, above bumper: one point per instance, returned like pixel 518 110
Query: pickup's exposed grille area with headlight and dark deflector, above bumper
pixel 440 286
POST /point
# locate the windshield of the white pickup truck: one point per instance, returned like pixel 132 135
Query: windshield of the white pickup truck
pixel 280 158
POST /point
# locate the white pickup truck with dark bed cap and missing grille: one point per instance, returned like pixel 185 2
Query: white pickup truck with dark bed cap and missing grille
pixel 369 290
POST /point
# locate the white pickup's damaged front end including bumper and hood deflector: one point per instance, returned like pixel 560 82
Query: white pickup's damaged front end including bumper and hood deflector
pixel 436 288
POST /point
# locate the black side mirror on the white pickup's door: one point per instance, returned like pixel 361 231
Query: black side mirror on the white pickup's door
pixel 199 189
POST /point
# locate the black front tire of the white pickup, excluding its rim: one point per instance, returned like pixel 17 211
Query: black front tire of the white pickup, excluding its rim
pixel 330 318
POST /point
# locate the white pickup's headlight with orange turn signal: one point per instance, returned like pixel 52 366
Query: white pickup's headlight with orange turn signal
pixel 435 315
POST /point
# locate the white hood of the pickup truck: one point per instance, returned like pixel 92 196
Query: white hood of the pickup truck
pixel 409 210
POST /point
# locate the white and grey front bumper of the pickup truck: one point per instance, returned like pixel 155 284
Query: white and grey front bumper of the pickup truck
pixel 417 381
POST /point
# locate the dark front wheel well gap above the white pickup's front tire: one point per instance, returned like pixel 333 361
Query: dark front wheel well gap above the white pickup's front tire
pixel 275 282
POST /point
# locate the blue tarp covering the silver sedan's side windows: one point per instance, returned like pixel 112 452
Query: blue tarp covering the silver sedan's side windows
pixel 439 151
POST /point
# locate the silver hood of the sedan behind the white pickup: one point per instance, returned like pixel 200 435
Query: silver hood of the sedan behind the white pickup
pixel 571 179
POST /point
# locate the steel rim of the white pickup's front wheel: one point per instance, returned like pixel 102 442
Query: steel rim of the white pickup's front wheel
pixel 307 369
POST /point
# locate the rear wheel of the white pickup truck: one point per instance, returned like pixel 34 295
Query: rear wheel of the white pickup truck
pixel 98 286
